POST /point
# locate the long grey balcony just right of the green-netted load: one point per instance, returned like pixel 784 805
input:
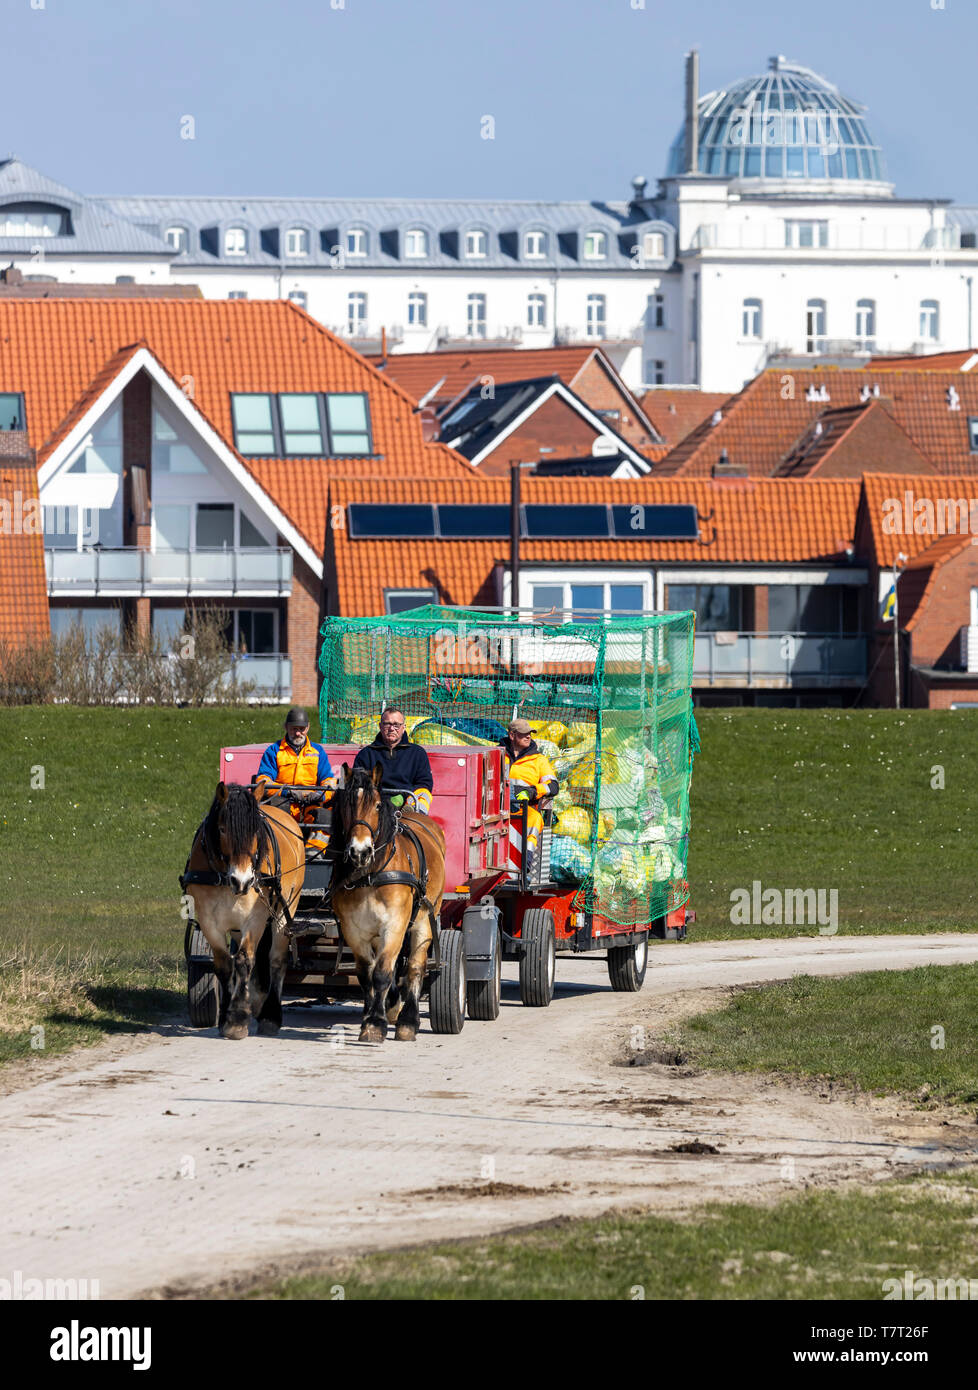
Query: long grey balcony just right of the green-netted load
pixel 779 660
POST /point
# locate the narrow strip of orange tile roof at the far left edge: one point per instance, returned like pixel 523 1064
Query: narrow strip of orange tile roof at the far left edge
pixel 23 582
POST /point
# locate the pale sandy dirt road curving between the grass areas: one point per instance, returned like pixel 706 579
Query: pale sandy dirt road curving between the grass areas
pixel 176 1160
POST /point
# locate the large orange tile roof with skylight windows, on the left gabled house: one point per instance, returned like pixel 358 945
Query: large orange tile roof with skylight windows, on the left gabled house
pixel 58 352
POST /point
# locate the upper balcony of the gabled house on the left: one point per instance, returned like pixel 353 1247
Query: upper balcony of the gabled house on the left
pixel 134 572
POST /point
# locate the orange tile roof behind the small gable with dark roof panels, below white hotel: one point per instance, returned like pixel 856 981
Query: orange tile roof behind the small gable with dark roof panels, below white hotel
pixel 419 372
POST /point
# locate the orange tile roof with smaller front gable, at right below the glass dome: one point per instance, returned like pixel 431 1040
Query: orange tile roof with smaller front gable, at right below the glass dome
pixel 761 425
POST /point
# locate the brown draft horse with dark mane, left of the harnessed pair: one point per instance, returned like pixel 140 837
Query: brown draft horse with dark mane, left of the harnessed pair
pixel 245 874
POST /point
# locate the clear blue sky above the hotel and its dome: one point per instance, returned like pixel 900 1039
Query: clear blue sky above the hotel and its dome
pixel 386 98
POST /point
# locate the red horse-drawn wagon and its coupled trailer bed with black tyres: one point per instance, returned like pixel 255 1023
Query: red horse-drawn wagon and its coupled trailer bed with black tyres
pixel 492 910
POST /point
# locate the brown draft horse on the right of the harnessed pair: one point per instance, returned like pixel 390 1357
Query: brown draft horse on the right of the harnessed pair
pixel 376 915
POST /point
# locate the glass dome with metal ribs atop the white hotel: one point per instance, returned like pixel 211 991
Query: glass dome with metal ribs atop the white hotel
pixel 788 126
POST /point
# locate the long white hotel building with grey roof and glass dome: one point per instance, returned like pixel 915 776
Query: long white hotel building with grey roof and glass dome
pixel 773 237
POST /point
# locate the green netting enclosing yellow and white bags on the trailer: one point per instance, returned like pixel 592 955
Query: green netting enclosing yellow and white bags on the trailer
pixel 612 705
